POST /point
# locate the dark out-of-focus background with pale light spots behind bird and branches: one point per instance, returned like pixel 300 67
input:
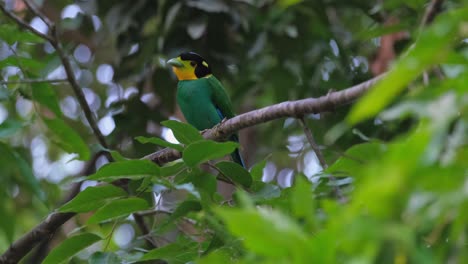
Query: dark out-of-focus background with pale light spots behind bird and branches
pixel 263 51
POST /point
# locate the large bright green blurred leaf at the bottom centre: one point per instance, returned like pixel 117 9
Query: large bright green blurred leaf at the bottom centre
pixel 267 232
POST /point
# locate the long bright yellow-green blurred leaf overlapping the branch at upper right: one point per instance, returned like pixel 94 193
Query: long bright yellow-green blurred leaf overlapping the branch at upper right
pixel 439 37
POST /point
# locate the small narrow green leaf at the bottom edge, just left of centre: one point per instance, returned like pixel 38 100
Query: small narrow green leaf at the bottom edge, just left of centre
pixel 178 252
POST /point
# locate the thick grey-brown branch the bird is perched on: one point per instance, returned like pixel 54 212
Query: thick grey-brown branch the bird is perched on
pixel 269 113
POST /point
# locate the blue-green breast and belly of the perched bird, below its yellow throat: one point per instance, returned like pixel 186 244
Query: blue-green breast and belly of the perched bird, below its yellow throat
pixel 195 100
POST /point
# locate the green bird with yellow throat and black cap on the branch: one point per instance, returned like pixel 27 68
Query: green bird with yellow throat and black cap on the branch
pixel 201 97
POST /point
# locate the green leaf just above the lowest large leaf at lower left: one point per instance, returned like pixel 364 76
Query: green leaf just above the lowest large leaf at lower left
pixel 118 208
